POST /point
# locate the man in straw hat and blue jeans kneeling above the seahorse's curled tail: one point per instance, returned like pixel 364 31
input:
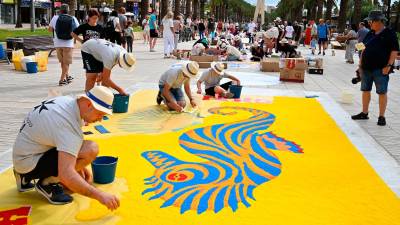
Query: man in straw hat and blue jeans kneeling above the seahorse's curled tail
pixel 170 85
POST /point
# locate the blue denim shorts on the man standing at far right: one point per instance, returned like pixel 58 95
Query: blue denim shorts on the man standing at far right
pixel 368 77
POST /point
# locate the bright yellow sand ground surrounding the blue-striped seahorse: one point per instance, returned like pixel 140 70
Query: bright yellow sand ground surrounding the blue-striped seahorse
pixel 331 183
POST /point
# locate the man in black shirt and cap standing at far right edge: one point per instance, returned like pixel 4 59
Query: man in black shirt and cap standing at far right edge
pixel 376 63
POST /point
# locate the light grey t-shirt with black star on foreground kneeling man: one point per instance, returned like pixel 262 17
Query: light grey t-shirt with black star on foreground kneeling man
pixel 55 123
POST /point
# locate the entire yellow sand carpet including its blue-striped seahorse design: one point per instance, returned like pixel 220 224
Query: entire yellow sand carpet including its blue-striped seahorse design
pixel 279 161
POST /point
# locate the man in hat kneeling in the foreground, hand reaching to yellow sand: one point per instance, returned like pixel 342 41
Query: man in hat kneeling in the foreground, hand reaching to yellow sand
pixel 50 147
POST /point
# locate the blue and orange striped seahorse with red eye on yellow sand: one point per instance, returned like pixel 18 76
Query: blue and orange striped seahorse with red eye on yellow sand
pixel 238 158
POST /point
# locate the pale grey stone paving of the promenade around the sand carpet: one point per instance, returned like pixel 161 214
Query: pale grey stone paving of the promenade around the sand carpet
pixel 19 92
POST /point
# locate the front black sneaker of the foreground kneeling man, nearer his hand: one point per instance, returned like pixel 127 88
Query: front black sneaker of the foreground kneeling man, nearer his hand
pixel 54 193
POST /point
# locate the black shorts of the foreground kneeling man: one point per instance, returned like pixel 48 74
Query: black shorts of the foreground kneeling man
pixel 47 166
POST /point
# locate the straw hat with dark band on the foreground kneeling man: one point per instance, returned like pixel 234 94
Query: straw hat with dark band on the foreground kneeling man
pixel 101 98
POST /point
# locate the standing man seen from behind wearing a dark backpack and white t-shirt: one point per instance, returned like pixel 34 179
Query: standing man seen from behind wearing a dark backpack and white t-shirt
pixel 62 25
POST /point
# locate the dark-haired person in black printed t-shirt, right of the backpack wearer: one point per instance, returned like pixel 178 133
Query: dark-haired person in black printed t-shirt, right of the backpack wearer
pixel 89 30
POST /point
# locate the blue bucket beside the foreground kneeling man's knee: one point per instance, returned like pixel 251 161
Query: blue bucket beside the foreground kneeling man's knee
pixel 104 168
